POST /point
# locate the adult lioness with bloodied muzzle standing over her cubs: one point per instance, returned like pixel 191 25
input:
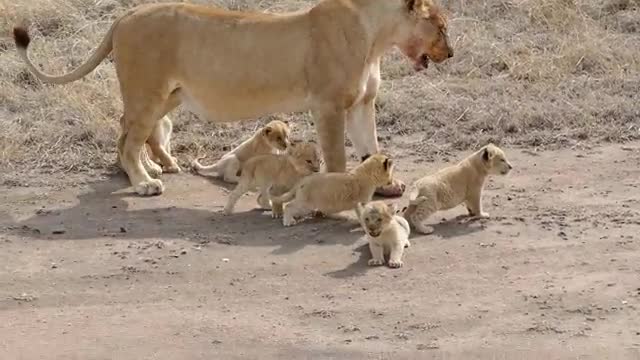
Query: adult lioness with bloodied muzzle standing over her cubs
pixel 233 65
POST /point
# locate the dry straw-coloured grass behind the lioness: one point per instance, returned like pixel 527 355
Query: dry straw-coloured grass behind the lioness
pixel 526 72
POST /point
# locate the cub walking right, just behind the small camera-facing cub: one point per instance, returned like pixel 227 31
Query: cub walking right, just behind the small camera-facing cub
pixel 334 192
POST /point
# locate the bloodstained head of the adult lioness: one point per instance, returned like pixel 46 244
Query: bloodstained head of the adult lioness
pixel 426 36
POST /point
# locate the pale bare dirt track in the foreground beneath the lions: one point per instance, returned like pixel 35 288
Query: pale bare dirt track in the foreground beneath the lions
pixel 95 272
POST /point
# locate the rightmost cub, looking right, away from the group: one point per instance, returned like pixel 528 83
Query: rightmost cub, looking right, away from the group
pixel 454 185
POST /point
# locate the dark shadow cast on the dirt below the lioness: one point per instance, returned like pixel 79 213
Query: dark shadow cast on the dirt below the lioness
pixel 110 209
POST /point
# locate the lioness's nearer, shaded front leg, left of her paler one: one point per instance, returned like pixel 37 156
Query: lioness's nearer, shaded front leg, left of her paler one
pixel 329 125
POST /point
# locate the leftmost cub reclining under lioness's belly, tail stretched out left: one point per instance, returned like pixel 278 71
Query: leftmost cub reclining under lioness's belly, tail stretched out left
pixel 274 136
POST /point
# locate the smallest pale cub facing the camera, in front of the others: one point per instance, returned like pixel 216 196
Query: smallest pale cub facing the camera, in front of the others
pixel 387 232
